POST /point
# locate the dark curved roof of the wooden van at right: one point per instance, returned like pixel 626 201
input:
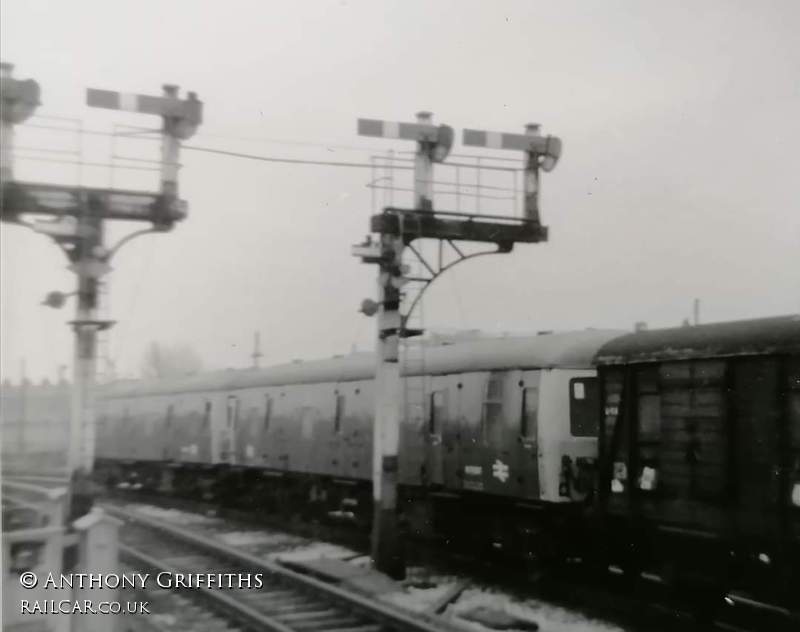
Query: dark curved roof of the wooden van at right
pixel 779 334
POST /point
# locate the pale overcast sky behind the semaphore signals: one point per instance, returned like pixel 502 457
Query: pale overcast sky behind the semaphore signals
pixel 681 129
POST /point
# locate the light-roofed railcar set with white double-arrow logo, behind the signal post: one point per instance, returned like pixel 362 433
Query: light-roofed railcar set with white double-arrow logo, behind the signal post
pixel 498 435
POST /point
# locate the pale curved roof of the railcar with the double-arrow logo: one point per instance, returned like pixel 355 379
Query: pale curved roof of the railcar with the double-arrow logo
pixel 562 350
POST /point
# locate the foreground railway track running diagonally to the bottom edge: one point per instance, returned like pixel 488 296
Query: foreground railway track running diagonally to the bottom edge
pixel 286 601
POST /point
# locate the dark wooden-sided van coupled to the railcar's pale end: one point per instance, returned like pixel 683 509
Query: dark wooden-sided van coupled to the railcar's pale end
pixel 699 443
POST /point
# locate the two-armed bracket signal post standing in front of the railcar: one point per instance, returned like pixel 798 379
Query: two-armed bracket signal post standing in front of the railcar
pixel 397 228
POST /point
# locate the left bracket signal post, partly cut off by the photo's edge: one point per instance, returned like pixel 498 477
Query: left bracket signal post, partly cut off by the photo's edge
pixel 75 221
